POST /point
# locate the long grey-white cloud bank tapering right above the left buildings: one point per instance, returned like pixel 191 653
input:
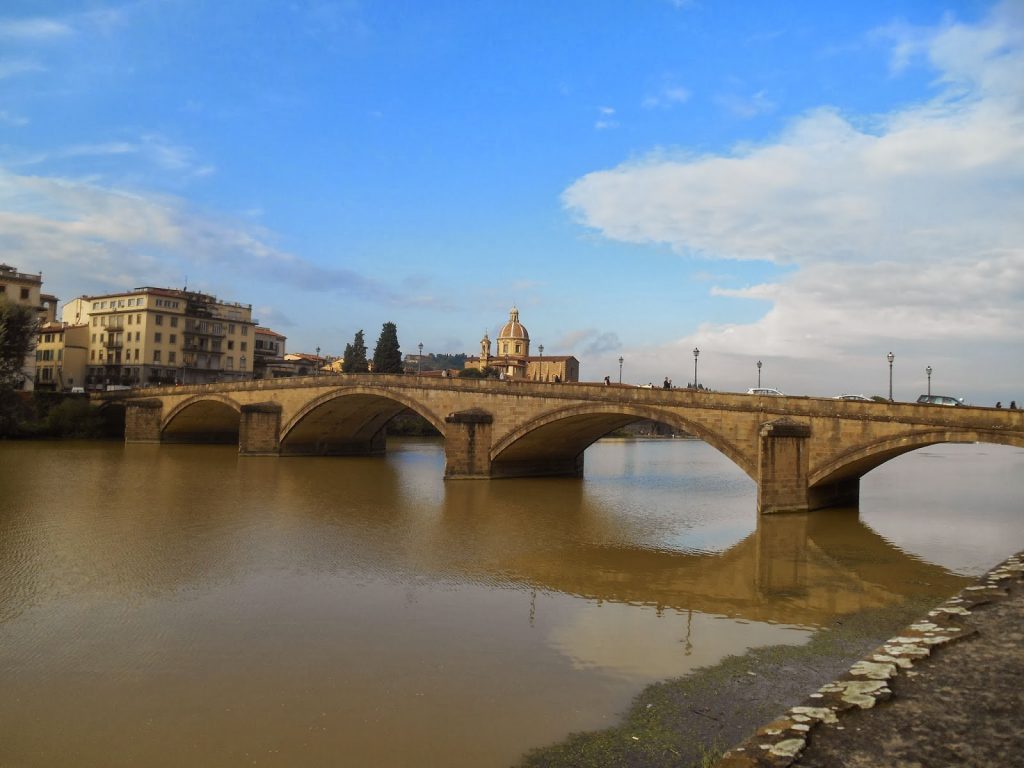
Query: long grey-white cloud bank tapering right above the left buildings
pixel 100 239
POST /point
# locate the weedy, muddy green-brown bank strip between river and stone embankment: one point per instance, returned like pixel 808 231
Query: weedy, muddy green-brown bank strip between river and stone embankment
pixel 691 721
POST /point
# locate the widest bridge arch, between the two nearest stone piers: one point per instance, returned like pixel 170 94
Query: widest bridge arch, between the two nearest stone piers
pixel 559 438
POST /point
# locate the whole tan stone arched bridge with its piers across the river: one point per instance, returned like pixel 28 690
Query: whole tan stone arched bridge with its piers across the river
pixel 803 453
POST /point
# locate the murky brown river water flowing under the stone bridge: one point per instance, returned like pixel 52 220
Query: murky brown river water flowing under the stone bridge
pixel 169 606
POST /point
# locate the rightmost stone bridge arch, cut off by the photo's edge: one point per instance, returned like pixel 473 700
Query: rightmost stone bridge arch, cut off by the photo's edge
pixel 858 462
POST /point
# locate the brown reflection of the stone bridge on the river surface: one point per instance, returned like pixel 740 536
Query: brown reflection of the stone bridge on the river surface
pixel 799 569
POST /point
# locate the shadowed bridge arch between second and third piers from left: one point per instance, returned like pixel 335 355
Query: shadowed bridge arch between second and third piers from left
pixel 350 420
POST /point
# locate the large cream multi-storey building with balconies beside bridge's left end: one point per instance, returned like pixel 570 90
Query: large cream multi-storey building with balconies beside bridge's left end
pixel 164 336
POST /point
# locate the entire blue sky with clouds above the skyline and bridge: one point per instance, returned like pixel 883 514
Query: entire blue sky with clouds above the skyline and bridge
pixel 807 185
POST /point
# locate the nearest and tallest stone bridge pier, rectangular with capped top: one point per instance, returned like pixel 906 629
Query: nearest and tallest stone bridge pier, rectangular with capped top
pixel 783 463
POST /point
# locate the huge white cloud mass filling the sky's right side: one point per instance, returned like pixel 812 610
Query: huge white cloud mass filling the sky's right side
pixel 906 229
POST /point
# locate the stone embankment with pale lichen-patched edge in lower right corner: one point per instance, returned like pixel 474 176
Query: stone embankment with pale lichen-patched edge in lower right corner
pixel 949 691
